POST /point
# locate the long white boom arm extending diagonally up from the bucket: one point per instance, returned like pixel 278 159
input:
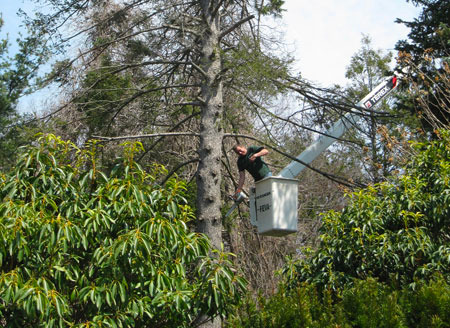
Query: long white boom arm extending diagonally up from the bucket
pixel 338 129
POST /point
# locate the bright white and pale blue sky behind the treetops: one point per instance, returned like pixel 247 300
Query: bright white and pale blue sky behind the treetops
pixel 323 34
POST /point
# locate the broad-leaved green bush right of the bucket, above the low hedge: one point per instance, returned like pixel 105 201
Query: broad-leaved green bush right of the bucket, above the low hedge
pixel 397 231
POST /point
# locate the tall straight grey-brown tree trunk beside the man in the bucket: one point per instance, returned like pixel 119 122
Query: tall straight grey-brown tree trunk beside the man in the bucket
pixel 211 134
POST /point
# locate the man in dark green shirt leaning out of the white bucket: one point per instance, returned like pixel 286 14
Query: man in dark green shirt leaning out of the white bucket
pixel 250 160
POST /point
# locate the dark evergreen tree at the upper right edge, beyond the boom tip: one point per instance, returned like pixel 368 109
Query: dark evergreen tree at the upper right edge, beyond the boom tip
pixel 429 37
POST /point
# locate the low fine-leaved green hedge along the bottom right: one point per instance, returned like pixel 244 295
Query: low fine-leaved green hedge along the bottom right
pixel 368 304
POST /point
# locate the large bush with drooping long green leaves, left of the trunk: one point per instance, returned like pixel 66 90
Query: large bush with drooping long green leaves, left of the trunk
pixel 82 249
